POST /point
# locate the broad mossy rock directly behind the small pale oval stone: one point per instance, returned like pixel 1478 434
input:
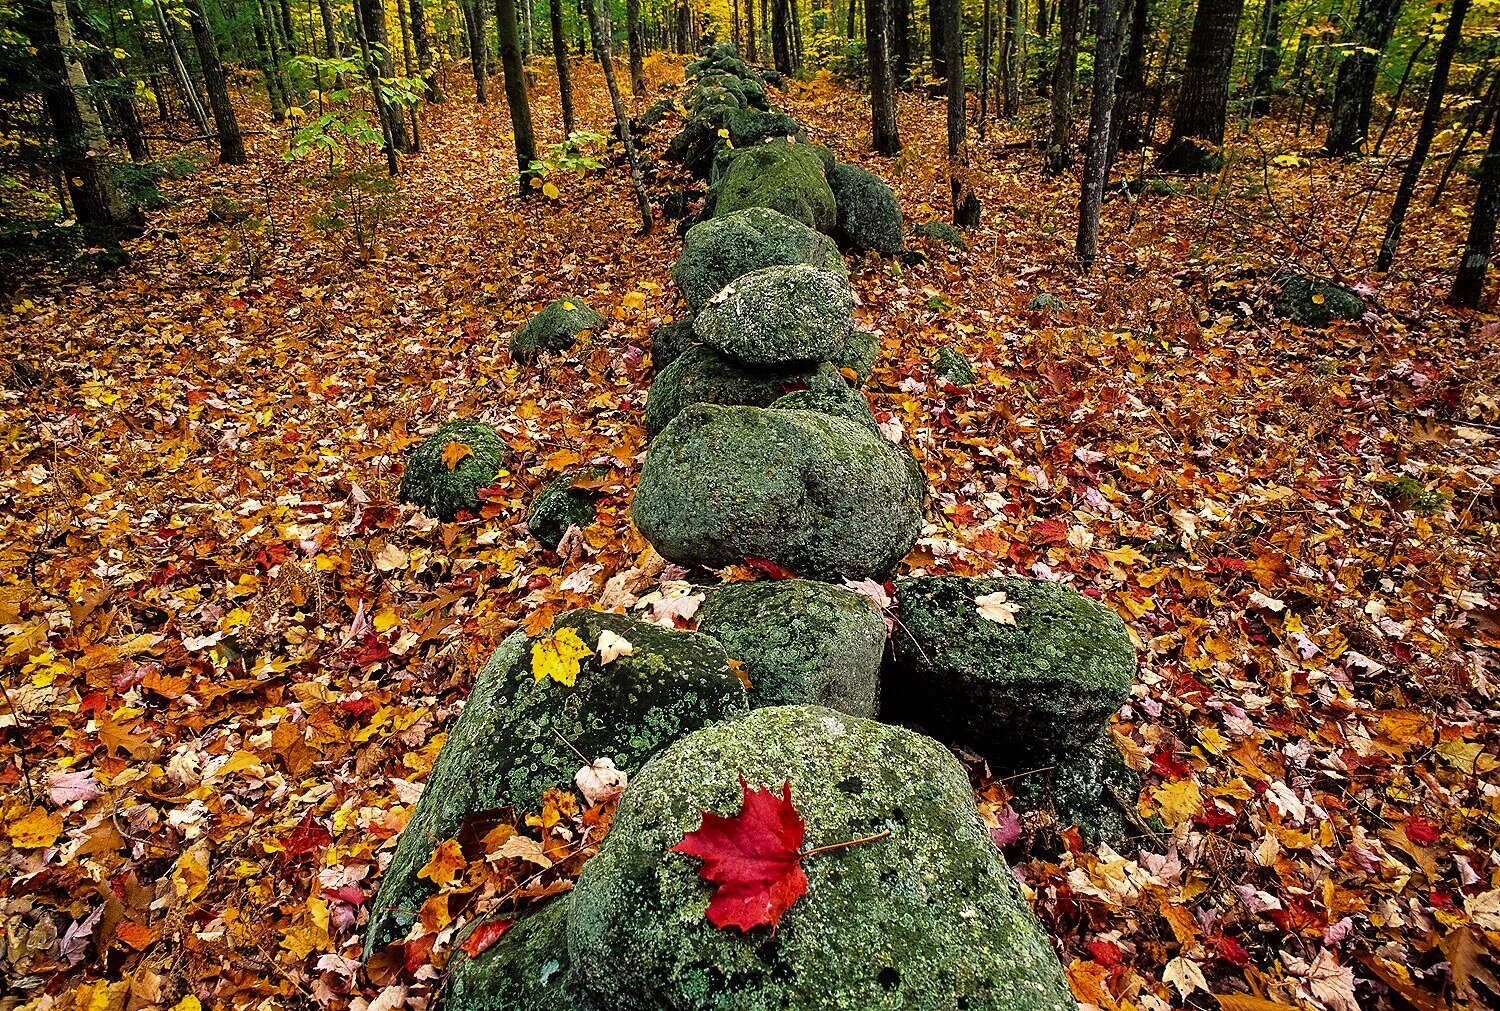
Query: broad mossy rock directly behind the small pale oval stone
pixel 722 250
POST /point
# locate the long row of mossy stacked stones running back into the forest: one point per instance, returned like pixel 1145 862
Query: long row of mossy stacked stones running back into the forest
pixel 766 449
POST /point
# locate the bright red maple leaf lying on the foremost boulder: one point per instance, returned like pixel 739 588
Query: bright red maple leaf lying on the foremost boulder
pixel 755 859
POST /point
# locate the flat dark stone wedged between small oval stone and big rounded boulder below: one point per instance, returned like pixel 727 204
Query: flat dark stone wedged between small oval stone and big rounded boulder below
pixel 704 376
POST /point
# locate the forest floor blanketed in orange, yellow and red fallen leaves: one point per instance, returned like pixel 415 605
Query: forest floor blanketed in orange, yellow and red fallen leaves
pixel 229 655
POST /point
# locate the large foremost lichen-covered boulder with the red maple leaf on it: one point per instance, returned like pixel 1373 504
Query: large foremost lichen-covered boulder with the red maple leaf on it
pixel 929 919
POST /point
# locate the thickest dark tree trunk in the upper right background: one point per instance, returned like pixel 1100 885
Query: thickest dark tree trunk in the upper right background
pixel 1198 131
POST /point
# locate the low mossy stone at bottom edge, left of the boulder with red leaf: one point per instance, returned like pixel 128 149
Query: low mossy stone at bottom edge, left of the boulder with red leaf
pixel 527 968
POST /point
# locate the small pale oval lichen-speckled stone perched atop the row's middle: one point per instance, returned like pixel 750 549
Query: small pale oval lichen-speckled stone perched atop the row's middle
pixel 778 316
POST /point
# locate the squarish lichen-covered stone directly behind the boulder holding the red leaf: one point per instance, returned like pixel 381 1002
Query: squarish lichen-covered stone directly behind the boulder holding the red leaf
pixel 803 643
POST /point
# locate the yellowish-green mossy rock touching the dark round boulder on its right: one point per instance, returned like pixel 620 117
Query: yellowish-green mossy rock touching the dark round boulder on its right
pixel 785 178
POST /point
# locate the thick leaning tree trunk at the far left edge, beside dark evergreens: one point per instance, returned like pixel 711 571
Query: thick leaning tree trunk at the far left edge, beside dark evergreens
pixel 88 167
